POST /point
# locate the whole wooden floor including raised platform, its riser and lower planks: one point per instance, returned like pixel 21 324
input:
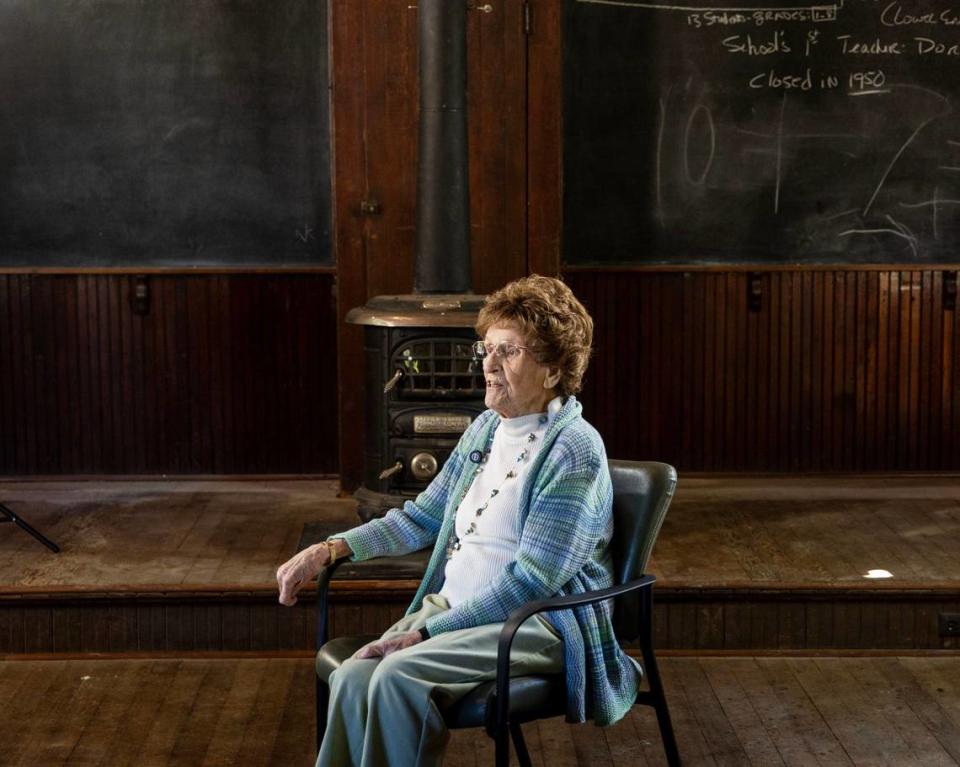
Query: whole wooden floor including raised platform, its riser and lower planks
pixel 125 541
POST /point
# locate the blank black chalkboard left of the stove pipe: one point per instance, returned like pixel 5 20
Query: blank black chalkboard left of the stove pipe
pixel 164 132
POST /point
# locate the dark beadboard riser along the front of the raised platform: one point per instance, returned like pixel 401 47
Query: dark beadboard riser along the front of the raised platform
pixel 748 620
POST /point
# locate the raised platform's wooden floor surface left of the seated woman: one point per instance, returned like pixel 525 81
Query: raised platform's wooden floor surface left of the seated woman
pixel 132 534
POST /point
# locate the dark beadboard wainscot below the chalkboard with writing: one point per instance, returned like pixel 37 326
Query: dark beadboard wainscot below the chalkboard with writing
pixel 838 370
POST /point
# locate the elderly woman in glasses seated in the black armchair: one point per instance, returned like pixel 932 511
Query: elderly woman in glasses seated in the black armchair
pixel 521 511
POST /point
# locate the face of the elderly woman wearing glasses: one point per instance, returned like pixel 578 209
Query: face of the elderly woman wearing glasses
pixel 516 386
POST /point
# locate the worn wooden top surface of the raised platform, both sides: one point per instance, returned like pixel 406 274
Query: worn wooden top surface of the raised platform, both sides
pixel 719 532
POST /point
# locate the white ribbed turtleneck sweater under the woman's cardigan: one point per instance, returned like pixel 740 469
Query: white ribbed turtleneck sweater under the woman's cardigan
pixel 484 553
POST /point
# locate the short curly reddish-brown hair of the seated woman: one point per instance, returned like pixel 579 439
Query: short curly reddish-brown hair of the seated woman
pixel 556 325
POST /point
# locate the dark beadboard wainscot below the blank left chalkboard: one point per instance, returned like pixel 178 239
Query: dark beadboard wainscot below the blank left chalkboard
pixel 226 374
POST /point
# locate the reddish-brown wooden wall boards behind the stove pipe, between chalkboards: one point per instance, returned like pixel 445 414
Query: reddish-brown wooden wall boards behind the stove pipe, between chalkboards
pixel 374 104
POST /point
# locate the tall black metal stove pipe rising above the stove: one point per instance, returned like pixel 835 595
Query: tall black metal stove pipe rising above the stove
pixel 442 247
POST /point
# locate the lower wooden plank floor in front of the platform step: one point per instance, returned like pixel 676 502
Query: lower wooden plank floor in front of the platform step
pixel 744 711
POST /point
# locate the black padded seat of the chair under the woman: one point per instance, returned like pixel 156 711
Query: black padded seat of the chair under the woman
pixel 531 697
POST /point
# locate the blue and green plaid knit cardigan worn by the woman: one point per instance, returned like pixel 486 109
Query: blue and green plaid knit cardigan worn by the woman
pixel 564 529
